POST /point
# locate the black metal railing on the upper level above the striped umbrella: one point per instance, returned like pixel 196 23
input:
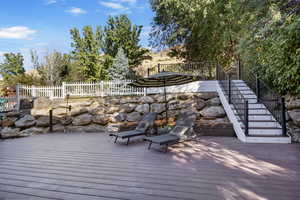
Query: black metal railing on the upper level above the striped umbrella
pixel 205 70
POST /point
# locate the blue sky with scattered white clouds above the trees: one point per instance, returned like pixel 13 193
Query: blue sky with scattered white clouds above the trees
pixel 44 24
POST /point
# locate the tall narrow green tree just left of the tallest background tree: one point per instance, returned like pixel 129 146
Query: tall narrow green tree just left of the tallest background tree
pixel 86 53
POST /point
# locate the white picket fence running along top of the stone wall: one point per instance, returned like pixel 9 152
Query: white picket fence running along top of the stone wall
pixel 82 89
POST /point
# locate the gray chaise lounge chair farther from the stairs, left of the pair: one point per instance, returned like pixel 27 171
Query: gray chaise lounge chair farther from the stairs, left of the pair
pixel 143 127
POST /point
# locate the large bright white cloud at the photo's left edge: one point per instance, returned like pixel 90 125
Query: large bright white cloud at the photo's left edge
pixel 16 32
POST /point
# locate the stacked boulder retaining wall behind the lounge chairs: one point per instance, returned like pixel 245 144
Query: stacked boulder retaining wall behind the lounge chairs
pixel 109 113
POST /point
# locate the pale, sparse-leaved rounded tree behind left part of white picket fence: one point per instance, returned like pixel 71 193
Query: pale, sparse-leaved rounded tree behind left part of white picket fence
pixel 54 68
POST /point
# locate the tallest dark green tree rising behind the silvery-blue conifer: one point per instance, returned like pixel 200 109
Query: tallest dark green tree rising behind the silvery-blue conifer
pixel 121 33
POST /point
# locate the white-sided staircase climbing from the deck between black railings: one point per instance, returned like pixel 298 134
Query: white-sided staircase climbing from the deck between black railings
pixel 263 128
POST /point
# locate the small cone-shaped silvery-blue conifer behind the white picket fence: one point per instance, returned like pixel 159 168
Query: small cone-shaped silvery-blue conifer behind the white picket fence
pixel 120 67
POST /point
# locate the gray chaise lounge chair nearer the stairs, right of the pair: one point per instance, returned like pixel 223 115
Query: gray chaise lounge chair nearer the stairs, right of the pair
pixel 181 132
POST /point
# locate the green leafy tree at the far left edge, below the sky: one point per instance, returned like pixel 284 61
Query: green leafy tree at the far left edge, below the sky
pixel 12 65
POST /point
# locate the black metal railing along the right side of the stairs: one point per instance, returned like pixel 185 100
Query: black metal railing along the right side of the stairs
pixel 265 95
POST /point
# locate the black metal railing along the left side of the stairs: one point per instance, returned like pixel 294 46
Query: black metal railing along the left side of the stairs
pixel 234 97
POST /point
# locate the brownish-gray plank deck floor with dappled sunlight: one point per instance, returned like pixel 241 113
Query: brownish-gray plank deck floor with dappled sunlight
pixel 90 166
